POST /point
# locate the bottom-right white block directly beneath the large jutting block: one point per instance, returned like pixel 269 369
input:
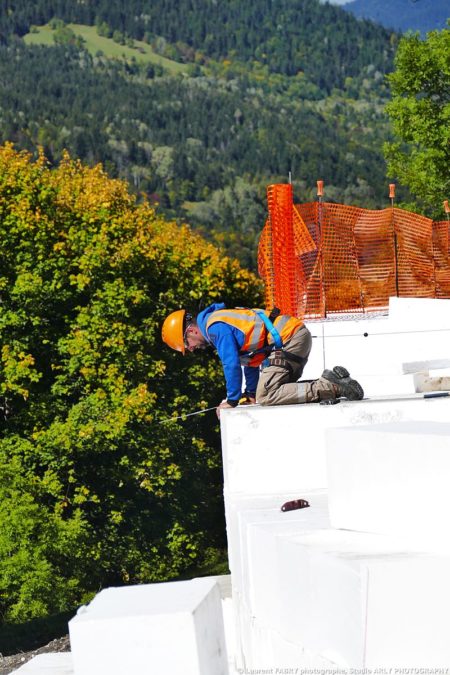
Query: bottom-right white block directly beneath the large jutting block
pixel 362 600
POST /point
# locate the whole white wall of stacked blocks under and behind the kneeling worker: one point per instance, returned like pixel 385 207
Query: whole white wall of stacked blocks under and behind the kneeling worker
pixel 306 593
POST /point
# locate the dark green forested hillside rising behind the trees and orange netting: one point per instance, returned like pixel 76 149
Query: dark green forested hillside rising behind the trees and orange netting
pixel 270 88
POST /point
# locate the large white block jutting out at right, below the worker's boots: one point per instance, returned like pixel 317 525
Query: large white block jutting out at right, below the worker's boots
pixel 392 479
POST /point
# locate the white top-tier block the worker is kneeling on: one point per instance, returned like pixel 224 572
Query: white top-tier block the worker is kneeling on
pixel 281 449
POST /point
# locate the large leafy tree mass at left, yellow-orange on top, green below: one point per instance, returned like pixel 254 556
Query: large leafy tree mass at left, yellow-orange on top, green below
pixel 96 486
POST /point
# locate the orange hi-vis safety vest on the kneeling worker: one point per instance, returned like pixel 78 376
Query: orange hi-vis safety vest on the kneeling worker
pixel 255 332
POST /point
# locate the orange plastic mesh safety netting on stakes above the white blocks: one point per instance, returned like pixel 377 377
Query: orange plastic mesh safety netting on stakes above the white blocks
pixel 320 258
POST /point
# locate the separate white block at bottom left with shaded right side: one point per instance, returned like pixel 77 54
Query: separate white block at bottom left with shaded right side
pixel 176 628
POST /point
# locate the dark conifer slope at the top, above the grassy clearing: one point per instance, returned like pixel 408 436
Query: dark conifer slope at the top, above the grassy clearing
pixel 287 35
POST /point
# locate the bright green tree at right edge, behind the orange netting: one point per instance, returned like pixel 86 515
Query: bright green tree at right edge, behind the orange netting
pixel 420 114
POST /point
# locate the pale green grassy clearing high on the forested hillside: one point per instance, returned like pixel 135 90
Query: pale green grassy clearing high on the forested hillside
pixel 94 43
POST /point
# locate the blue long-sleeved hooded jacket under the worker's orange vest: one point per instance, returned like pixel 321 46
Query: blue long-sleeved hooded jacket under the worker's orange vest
pixel 228 340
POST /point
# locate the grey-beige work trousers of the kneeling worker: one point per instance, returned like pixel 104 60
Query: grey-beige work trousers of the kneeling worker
pixel 278 383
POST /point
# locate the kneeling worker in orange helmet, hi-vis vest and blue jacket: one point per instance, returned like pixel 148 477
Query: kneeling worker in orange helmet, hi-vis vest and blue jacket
pixel 252 338
